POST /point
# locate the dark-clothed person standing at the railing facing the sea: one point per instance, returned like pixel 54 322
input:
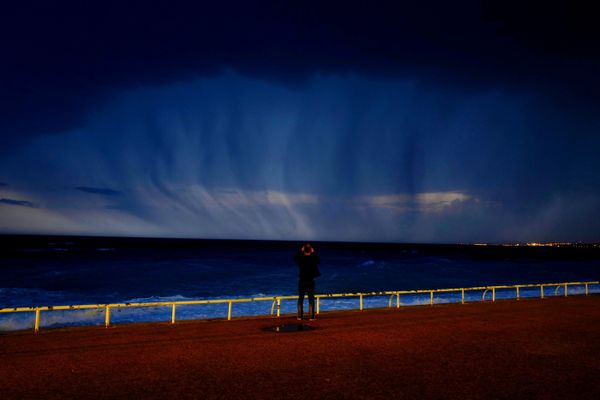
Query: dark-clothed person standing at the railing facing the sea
pixel 308 269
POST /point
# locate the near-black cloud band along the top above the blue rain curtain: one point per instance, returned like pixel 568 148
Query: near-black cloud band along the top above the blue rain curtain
pixel 61 60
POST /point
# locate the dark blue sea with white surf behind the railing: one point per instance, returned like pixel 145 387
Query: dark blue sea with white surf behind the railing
pixel 68 270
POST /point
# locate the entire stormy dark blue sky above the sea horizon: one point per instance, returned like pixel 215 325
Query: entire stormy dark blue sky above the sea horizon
pixel 438 122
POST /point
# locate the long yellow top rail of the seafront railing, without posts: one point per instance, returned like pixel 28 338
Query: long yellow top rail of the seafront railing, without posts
pixel 274 298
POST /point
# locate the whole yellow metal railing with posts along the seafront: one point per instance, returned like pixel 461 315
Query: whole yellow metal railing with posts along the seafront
pixel 276 300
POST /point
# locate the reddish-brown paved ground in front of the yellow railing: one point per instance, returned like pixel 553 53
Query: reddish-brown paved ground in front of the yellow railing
pixel 544 349
